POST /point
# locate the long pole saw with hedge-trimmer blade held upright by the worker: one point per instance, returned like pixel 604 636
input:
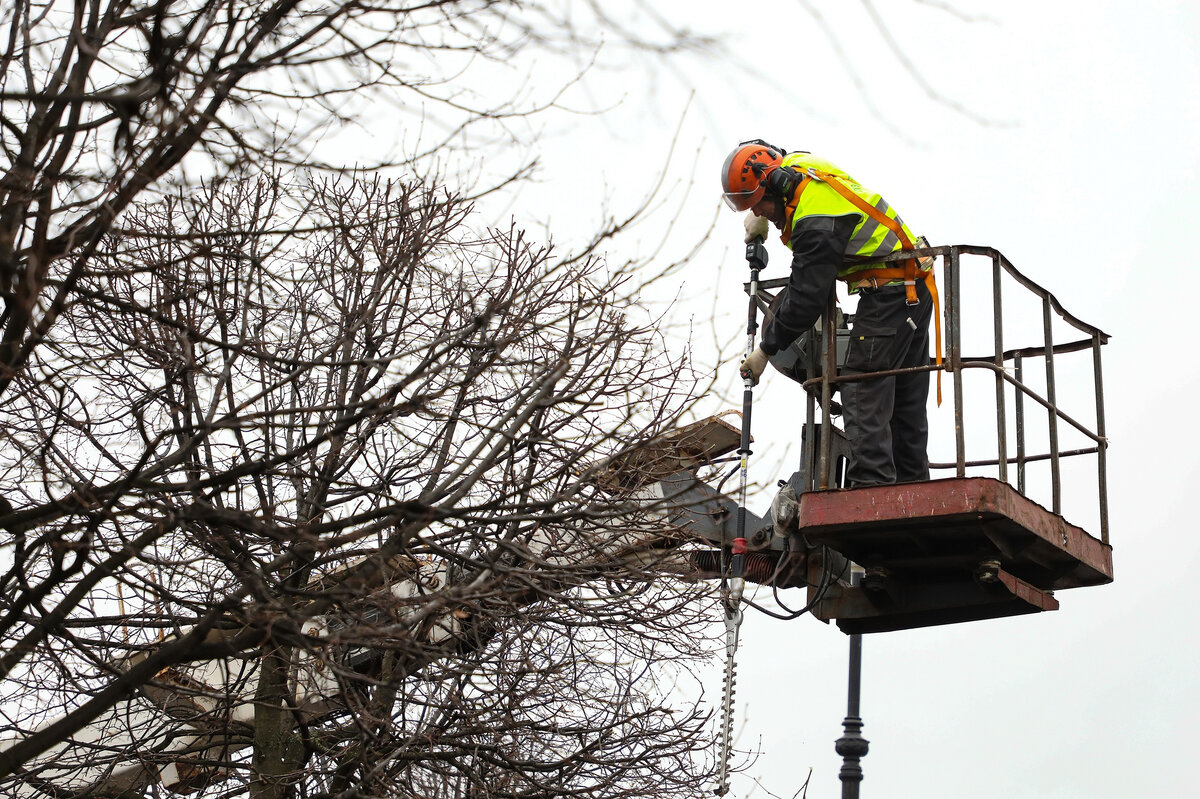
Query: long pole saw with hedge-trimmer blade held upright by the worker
pixel 734 580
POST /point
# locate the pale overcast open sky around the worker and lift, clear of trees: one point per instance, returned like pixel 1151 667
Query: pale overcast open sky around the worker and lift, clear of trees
pixel 1075 154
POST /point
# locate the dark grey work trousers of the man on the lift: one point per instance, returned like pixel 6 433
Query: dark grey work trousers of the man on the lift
pixel 885 418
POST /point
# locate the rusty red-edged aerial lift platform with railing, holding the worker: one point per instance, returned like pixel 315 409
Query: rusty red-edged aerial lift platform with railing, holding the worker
pixel 964 548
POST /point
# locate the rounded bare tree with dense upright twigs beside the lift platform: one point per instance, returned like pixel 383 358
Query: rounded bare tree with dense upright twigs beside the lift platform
pixel 352 467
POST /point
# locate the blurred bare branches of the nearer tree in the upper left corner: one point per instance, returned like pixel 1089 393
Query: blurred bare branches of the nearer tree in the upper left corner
pixel 110 100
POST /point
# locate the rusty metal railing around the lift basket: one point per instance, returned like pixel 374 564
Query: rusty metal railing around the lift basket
pixel 820 460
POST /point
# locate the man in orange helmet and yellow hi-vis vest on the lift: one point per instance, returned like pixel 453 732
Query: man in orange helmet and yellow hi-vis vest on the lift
pixel 836 230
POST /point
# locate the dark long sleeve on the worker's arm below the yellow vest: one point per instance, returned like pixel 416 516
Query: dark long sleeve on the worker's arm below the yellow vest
pixel 819 247
